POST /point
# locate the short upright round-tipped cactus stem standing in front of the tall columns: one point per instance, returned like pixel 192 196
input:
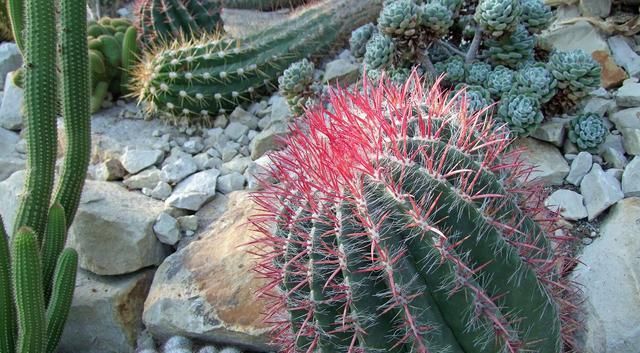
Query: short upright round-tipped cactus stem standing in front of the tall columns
pixel 29 298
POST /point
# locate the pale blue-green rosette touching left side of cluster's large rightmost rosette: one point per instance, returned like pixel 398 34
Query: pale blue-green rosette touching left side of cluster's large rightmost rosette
pixel 537 80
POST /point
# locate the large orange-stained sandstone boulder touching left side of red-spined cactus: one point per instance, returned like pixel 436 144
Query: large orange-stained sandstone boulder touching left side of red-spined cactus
pixel 207 290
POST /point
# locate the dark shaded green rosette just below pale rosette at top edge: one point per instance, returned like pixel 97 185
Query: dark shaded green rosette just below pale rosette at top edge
pixel 512 49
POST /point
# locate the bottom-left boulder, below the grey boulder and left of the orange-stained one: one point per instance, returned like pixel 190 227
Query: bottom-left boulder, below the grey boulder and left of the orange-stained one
pixel 106 313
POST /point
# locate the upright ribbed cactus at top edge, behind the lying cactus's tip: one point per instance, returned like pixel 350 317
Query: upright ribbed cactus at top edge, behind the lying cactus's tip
pixel 161 21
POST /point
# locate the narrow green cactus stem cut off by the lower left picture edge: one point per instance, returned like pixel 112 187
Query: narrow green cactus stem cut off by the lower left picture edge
pixel 7 310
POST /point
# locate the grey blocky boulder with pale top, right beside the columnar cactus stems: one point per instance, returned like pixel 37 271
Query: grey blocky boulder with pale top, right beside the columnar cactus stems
pixel 113 230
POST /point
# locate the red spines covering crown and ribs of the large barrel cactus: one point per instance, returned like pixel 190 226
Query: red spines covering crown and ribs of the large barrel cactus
pixel 327 157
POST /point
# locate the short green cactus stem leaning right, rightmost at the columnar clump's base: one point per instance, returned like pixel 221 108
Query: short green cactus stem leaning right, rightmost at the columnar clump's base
pixel 64 282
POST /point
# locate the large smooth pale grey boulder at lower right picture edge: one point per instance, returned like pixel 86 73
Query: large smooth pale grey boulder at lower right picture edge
pixel 610 277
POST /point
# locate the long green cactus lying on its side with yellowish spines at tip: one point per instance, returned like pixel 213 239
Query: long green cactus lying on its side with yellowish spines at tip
pixel 194 82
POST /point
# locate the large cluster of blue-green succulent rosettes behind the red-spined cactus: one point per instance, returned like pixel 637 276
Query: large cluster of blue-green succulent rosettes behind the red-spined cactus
pixel 490 44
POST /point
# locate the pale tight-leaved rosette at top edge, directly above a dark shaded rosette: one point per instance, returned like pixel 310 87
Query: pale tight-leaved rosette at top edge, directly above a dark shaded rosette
pixel 498 17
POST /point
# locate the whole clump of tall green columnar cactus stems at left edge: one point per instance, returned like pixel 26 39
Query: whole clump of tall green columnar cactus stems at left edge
pixel 37 276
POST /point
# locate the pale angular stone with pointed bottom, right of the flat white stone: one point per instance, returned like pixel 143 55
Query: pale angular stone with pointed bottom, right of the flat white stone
pixel 600 191
